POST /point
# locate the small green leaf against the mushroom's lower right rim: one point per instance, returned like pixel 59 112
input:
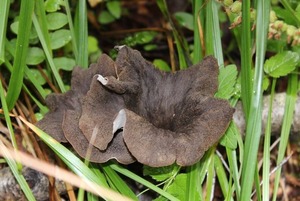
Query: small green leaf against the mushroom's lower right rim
pixel 229 140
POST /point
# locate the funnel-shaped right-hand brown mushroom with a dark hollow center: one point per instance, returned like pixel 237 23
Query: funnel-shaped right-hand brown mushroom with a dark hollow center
pixel 169 117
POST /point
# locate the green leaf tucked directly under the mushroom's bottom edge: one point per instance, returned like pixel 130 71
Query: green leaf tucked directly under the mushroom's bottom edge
pixel 161 173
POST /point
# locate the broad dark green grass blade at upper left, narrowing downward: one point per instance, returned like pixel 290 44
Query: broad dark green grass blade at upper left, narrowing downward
pixel 16 80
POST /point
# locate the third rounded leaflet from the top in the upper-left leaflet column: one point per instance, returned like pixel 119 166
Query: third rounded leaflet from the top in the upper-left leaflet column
pixel 60 38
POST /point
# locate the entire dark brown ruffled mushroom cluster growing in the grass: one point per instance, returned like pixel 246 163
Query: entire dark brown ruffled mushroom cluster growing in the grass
pixel 128 110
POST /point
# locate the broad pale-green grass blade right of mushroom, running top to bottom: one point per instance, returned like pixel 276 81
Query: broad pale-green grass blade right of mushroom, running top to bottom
pixel 253 130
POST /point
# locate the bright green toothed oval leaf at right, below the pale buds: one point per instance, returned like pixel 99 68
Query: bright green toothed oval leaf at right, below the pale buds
pixel 281 64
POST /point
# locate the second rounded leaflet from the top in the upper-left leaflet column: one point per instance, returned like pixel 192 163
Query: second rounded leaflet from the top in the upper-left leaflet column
pixel 56 20
